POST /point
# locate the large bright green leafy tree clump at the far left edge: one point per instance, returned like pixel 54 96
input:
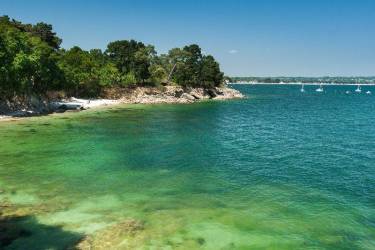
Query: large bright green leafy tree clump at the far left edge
pixel 27 63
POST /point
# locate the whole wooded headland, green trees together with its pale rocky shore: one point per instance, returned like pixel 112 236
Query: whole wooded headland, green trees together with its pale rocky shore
pixel 38 77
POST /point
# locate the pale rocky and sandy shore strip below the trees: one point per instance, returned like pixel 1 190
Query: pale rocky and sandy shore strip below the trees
pixel 139 95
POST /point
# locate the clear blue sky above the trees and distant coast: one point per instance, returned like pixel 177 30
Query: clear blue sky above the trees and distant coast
pixel 247 37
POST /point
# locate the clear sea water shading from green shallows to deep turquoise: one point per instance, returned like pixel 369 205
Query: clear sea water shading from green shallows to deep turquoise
pixel 279 170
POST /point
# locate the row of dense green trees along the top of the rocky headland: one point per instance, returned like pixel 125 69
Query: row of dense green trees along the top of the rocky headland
pixel 32 62
